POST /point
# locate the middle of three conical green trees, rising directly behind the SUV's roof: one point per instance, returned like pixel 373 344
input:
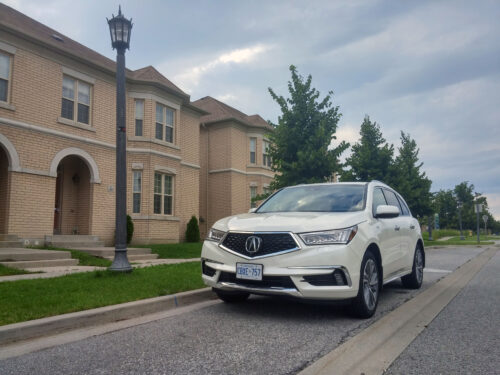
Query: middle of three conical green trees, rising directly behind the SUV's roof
pixel 371 157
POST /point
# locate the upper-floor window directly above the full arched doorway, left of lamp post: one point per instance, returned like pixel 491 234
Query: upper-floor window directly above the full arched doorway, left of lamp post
pixel 75 100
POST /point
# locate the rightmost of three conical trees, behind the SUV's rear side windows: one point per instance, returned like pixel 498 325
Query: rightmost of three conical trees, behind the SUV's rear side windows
pixel 409 180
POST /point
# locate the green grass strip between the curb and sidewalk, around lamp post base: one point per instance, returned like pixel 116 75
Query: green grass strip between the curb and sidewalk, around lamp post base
pixel 32 299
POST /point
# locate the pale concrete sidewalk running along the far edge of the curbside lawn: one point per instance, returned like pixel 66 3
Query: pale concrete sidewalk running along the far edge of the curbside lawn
pixel 47 272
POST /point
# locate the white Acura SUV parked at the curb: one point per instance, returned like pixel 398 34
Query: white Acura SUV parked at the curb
pixel 321 241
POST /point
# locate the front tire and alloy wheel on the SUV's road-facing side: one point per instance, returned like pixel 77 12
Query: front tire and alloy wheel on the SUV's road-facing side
pixel 365 303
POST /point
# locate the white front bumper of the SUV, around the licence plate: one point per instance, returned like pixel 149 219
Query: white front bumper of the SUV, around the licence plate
pixel 301 273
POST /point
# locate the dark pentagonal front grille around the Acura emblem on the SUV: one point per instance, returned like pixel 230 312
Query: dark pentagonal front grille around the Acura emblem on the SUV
pixel 270 243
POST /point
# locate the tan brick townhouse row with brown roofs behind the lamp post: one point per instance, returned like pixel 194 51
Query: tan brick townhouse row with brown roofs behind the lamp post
pixel 57 144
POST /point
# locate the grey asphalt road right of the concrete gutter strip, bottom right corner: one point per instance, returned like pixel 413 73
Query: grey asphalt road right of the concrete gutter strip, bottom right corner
pixel 465 337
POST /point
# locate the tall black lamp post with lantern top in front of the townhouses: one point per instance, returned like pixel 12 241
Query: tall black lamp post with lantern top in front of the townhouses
pixel 120 29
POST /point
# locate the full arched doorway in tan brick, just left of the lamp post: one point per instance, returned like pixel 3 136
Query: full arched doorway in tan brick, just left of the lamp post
pixel 72 209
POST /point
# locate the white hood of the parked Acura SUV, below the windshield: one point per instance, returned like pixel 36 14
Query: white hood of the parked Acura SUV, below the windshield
pixel 296 222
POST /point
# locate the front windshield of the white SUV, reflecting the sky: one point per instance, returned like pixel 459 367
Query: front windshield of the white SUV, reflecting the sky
pixel 316 198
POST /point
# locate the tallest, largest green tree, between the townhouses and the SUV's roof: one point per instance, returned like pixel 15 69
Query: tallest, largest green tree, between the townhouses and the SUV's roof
pixel 300 145
